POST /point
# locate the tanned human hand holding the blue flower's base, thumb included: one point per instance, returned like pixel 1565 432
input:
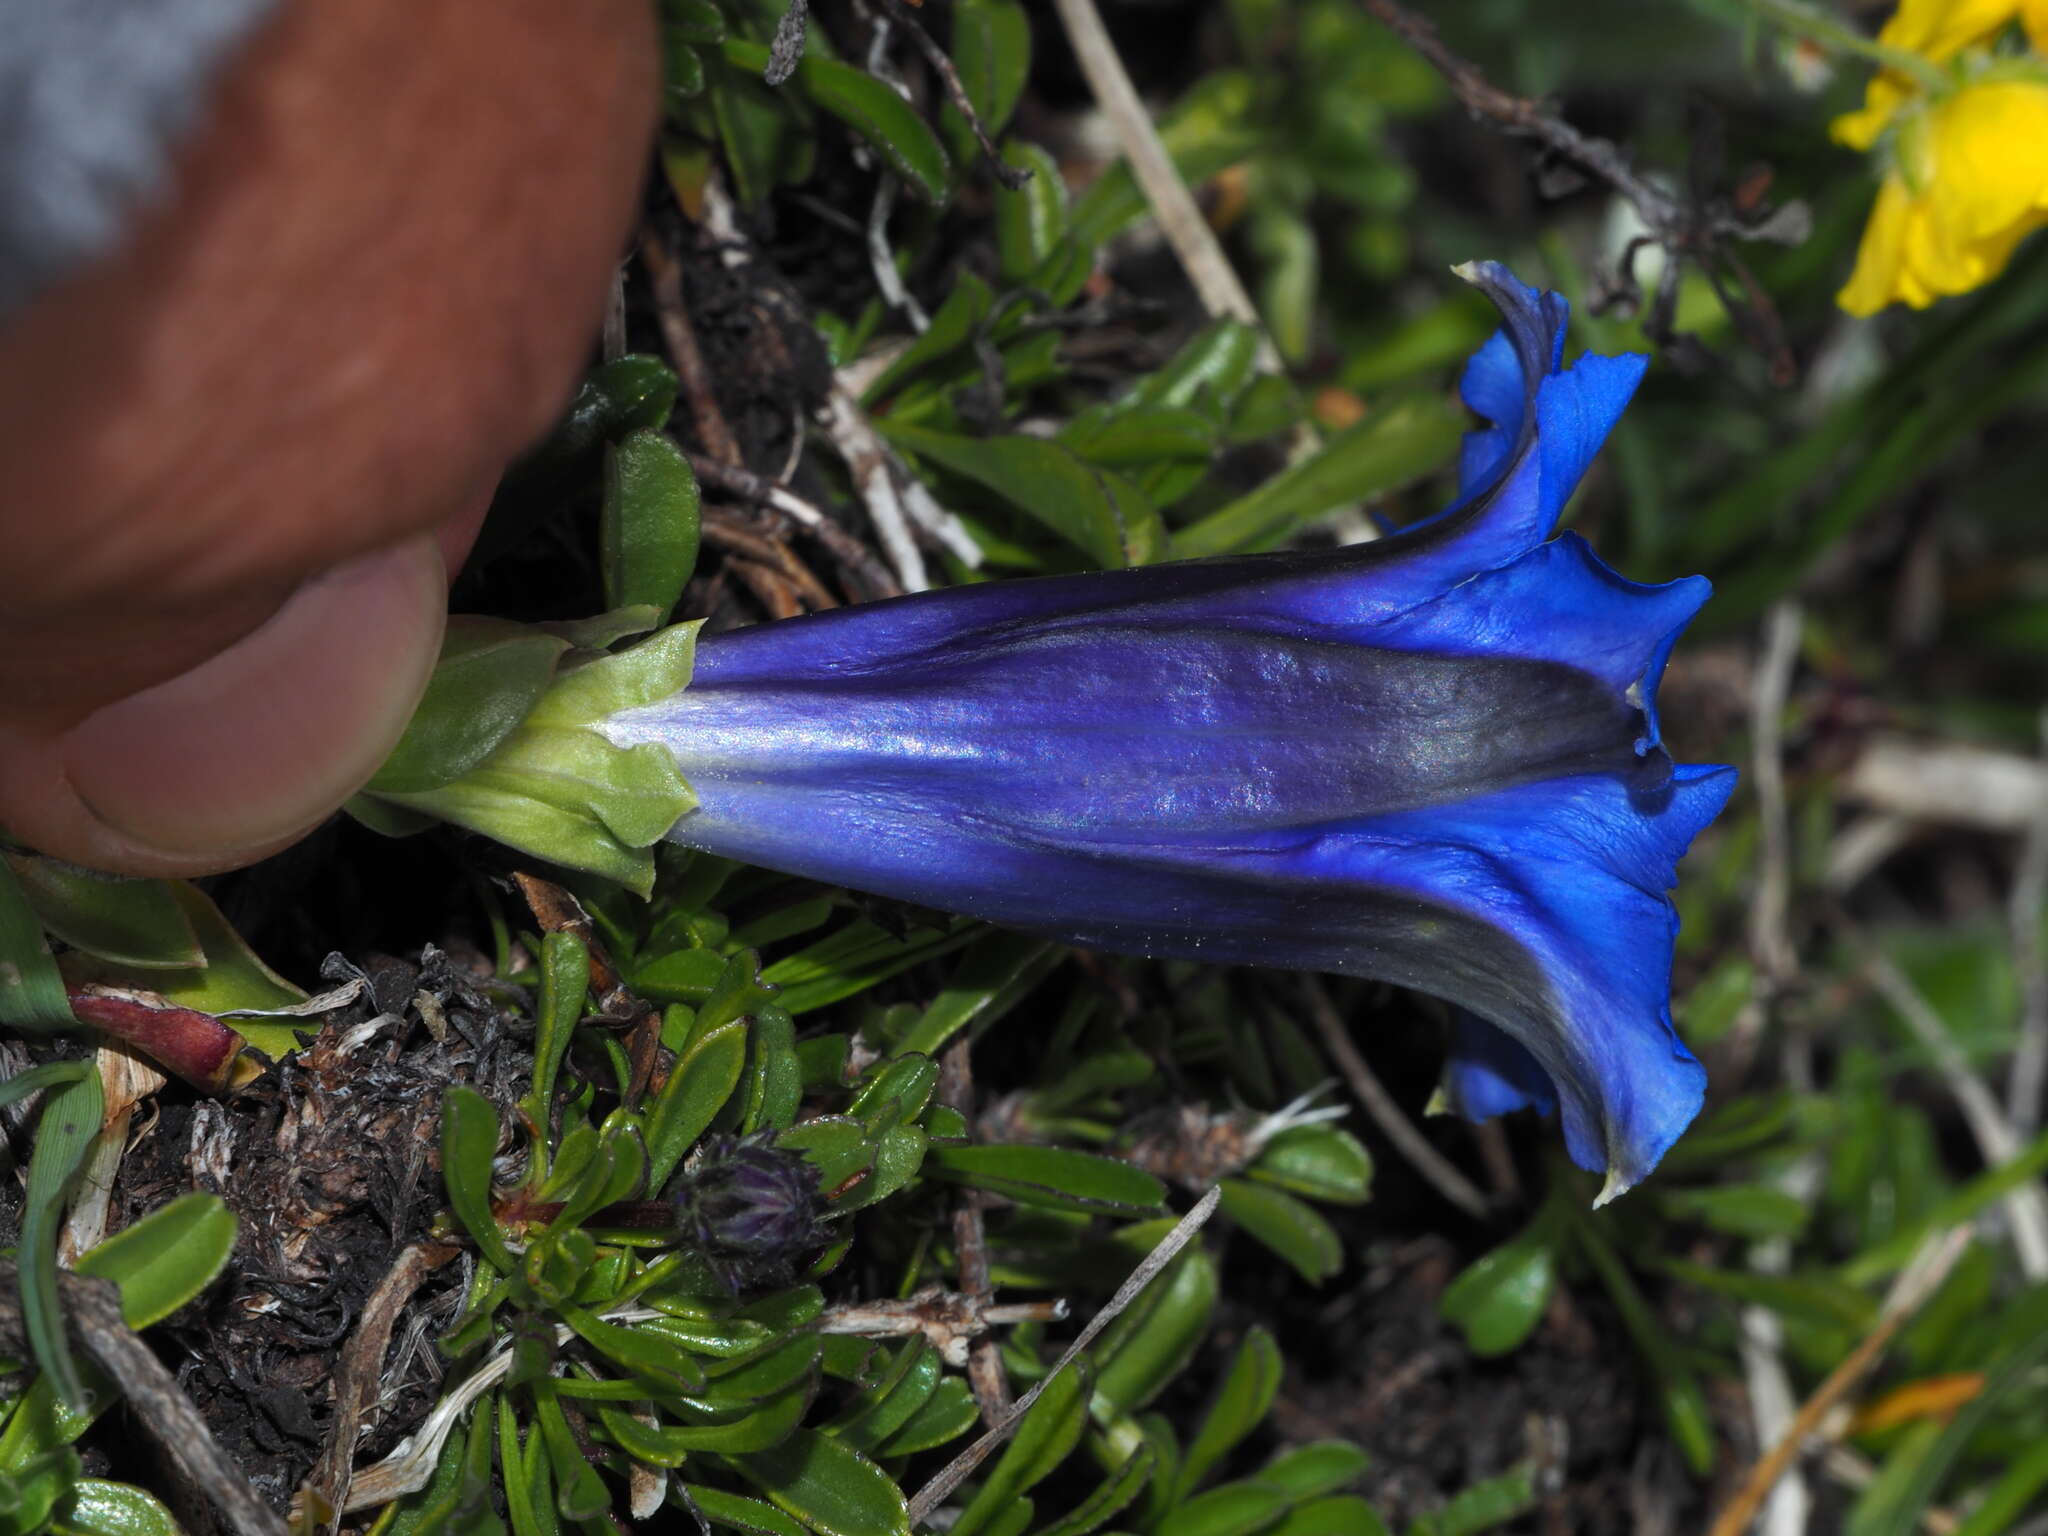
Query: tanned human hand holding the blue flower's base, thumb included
pixel 243 452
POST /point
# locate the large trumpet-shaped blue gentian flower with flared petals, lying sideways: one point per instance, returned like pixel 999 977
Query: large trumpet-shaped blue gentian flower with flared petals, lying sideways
pixel 1433 759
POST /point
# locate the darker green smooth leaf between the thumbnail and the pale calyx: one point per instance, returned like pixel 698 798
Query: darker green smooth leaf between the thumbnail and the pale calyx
pixel 488 681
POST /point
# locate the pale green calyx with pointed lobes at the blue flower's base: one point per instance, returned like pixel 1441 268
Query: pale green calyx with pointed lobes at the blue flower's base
pixel 507 744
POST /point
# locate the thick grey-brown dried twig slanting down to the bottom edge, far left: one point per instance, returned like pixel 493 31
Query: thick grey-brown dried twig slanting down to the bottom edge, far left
pixel 93 1310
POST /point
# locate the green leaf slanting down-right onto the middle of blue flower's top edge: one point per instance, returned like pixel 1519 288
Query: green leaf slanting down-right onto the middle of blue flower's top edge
pixel 1097 511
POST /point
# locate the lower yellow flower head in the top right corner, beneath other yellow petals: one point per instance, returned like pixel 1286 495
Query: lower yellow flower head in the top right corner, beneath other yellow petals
pixel 1969 183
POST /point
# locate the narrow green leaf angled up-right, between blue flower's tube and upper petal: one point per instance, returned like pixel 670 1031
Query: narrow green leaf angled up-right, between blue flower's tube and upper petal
pixel 1385 452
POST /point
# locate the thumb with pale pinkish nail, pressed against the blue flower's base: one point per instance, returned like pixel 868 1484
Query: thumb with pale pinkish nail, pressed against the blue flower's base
pixel 251 749
